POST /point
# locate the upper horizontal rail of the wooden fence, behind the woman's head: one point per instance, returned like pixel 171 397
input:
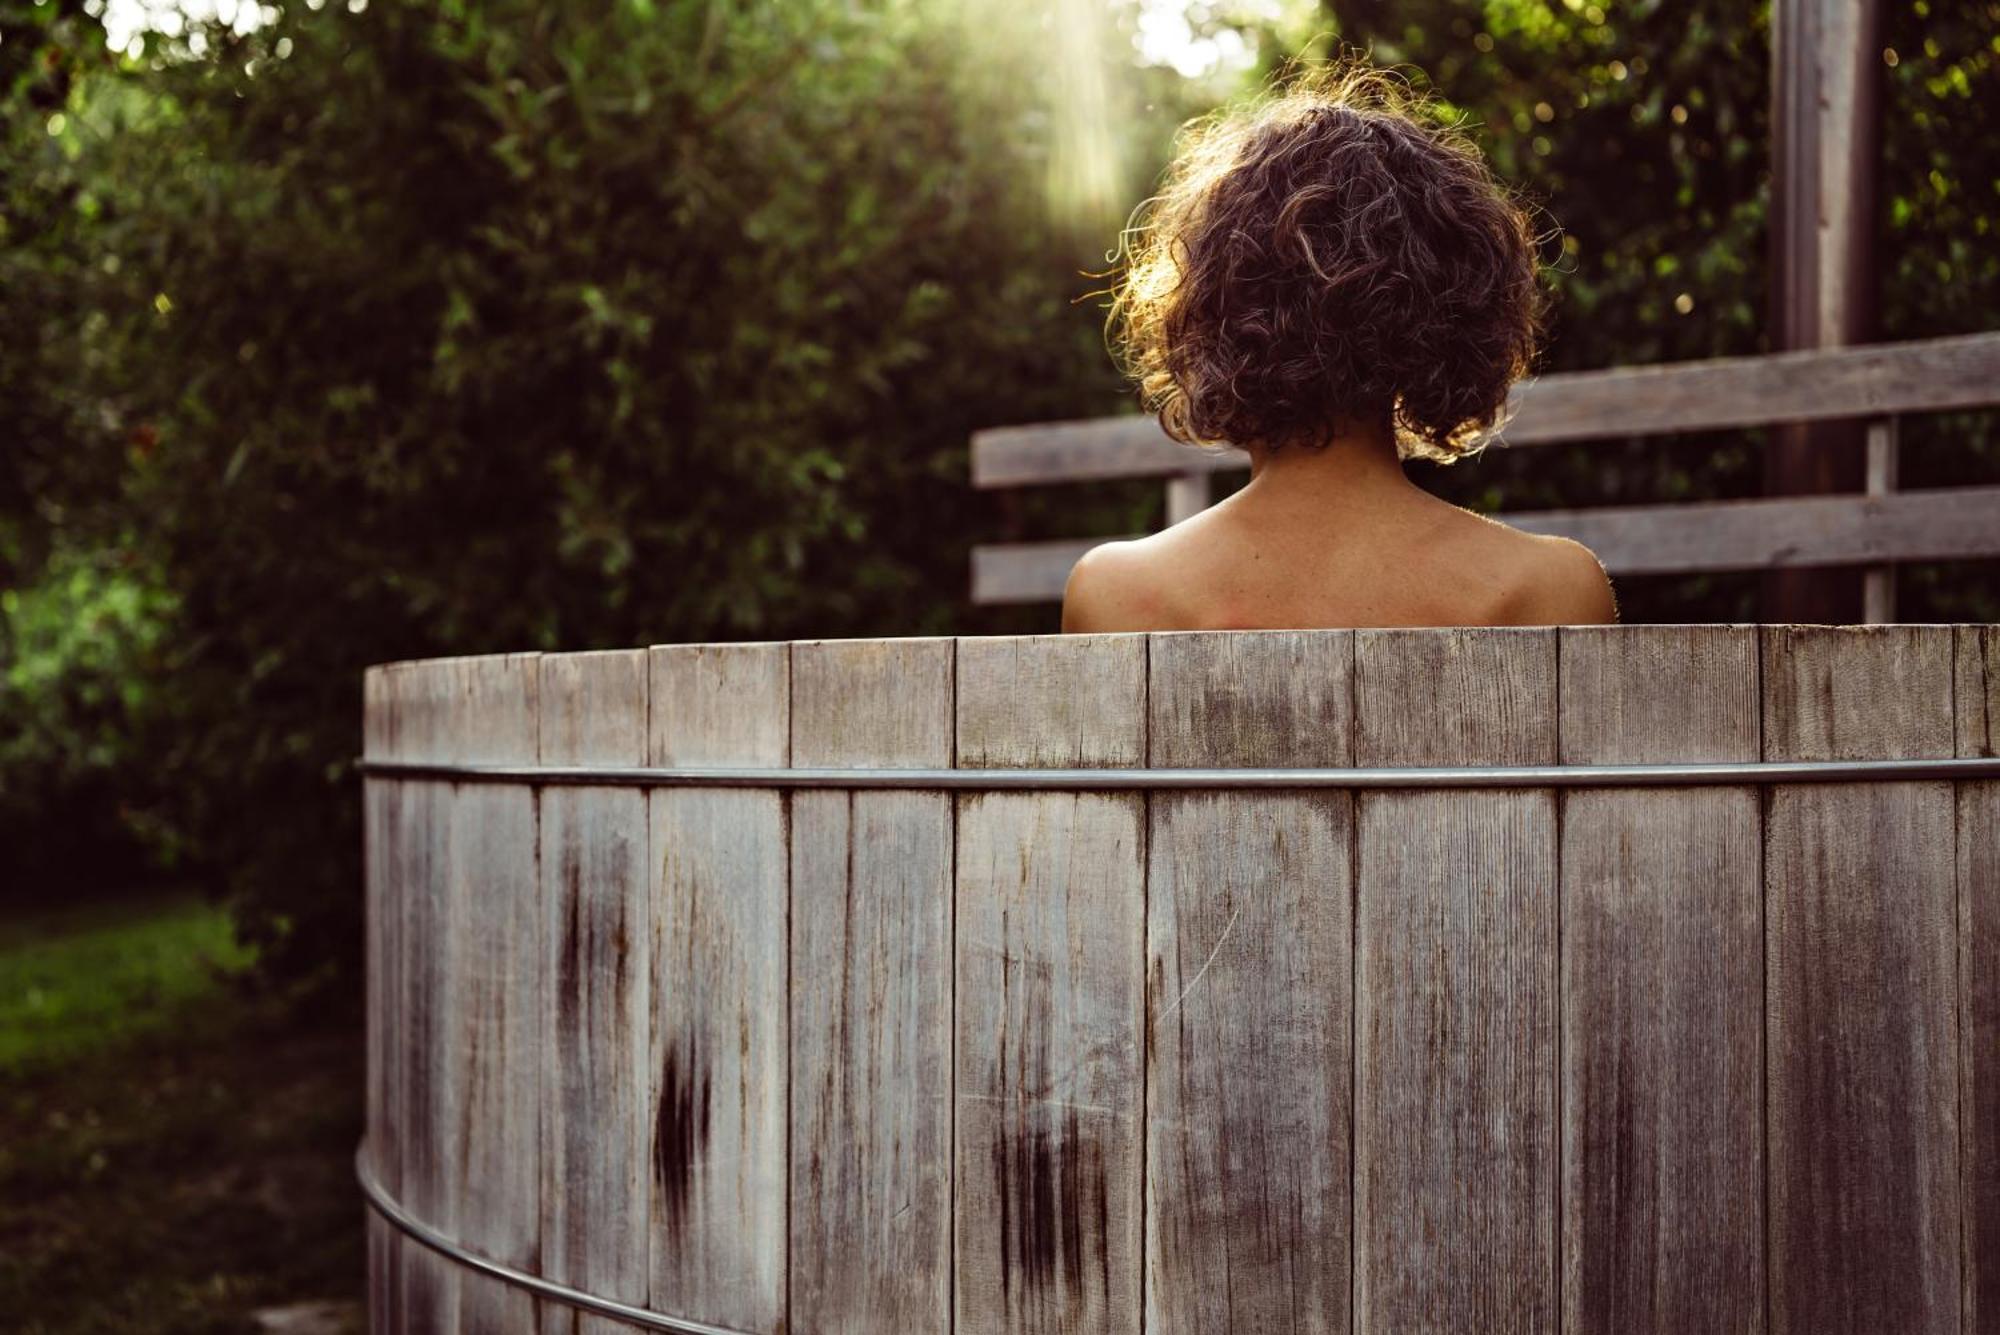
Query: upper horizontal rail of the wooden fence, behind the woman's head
pixel 1643 401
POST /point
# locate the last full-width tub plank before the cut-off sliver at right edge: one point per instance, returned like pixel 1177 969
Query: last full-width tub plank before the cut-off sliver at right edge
pixel 1861 964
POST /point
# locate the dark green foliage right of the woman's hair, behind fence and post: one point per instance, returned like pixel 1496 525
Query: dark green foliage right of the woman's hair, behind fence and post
pixel 1643 131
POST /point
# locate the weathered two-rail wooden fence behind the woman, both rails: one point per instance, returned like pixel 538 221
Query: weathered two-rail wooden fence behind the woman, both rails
pixel 1875 529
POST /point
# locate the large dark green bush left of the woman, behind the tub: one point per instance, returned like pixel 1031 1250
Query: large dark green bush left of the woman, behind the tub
pixel 449 329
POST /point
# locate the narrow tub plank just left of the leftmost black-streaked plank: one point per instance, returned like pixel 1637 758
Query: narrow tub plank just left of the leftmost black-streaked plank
pixel 493 1052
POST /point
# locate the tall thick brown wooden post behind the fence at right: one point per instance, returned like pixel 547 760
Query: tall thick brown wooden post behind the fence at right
pixel 1827 97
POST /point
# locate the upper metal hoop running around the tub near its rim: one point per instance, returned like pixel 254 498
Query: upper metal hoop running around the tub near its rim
pixel 1101 780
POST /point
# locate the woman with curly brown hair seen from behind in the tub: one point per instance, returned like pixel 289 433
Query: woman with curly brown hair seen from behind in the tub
pixel 1333 283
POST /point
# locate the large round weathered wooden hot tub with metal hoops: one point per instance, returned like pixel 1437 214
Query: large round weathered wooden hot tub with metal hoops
pixel 761 1056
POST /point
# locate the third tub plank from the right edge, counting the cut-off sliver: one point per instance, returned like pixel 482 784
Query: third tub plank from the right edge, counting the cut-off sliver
pixel 1663 988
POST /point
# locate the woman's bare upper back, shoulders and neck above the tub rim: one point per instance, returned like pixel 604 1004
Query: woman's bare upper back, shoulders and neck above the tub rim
pixel 1335 541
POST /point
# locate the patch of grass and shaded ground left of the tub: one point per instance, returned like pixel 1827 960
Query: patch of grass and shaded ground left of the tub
pixel 175 1152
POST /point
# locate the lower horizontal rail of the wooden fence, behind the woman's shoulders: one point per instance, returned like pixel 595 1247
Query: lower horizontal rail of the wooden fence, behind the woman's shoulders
pixel 1631 541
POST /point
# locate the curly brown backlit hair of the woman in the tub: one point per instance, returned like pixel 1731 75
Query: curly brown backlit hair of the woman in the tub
pixel 1329 257
